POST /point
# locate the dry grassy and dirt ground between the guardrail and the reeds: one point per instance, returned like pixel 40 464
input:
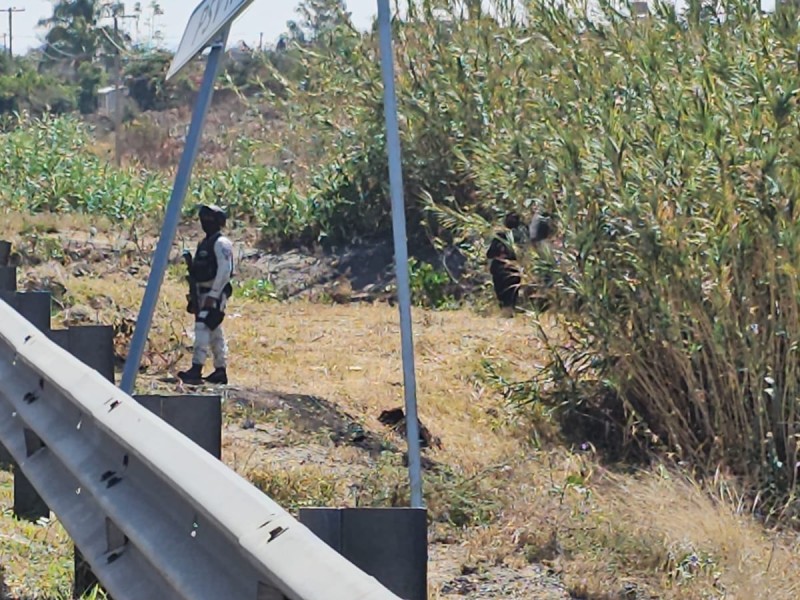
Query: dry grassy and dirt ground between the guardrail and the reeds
pixel 315 361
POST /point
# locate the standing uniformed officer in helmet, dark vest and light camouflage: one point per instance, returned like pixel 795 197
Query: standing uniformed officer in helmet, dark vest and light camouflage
pixel 211 274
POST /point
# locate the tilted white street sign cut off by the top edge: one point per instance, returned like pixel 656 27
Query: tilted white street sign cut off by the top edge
pixel 206 22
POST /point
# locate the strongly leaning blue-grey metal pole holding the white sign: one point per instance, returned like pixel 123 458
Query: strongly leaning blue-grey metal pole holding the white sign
pixel 173 213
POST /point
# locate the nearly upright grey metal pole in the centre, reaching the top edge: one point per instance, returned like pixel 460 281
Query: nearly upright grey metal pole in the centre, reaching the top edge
pixel 400 250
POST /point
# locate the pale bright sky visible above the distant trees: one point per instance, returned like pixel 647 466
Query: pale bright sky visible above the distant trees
pixel 263 16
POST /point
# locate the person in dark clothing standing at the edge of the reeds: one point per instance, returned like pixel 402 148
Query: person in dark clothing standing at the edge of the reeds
pixel 503 258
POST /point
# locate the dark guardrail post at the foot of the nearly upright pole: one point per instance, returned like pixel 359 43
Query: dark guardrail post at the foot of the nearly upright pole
pixel 391 544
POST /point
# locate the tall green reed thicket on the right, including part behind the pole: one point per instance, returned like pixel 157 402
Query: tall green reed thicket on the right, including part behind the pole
pixel 666 147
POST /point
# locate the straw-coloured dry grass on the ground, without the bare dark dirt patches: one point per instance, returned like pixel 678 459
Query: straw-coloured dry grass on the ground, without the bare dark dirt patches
pixel 600 532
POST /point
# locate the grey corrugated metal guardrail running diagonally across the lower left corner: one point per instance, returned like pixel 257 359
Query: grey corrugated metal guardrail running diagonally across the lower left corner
pixel 155 515
